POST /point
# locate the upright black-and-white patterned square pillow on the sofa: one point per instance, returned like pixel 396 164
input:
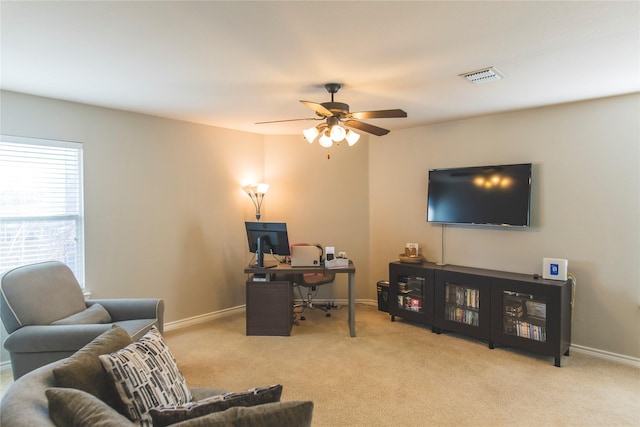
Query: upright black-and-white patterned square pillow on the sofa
pixel 146 376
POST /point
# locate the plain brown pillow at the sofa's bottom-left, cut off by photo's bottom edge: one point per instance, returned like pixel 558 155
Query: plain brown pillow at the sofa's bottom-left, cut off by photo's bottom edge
pixel 70 407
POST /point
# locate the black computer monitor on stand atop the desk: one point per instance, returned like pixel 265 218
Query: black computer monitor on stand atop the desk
pixel 267 237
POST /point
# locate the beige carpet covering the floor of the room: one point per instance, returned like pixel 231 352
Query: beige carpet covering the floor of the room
pixel 400 374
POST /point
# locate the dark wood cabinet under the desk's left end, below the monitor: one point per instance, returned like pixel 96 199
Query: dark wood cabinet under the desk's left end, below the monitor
pixel 269 308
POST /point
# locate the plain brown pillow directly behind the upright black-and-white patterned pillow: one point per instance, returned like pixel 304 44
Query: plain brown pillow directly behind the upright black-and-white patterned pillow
pixel 83 370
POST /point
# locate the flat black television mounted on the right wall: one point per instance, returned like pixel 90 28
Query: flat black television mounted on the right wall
pixel 480 195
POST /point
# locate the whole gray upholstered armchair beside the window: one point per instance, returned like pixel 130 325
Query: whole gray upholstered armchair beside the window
pixel 44 311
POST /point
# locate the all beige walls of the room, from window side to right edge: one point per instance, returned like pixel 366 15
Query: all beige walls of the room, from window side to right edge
pixel 164 209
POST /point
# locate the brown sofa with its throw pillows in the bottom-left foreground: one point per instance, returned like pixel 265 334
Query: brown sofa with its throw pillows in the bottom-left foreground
pixel 45 397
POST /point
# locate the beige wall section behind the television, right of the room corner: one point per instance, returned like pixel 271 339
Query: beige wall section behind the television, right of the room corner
pixel 586 205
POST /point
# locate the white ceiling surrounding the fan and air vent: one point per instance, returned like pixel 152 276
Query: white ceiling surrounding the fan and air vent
pixel 231 64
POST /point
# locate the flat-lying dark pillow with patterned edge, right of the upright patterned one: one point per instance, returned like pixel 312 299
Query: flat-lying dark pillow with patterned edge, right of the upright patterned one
pixel 256 396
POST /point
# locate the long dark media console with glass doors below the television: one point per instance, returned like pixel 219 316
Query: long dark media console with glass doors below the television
pixel 511 309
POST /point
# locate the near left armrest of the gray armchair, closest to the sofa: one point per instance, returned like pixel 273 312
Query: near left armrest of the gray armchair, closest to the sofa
pixel 52 338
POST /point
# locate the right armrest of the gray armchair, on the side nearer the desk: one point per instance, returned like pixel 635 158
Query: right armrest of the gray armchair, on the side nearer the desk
pixel 133 308
